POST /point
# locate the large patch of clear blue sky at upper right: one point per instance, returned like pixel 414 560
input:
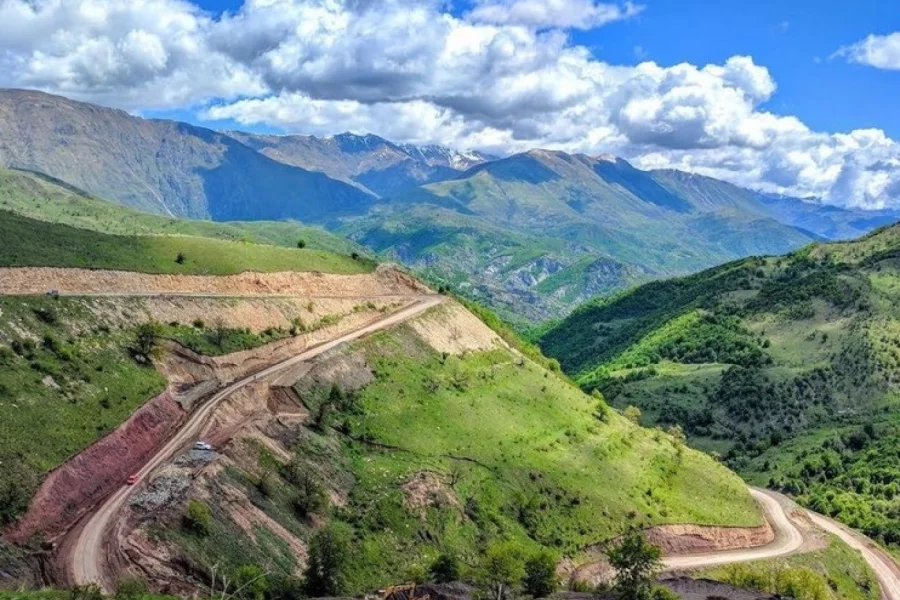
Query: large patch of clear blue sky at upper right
pixel 792 38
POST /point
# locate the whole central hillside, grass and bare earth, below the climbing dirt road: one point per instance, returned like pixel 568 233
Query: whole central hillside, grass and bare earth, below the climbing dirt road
pixel 434 436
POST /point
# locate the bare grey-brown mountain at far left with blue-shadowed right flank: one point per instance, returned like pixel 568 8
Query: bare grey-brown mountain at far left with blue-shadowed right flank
pixel 163 166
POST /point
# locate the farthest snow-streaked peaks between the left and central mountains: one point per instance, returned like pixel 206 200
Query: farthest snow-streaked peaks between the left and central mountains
pixel 371 162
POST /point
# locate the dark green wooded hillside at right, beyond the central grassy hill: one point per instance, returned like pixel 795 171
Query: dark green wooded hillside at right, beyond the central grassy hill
pixel 786 366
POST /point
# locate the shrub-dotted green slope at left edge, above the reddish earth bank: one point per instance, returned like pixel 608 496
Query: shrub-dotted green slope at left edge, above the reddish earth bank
pixel 57 395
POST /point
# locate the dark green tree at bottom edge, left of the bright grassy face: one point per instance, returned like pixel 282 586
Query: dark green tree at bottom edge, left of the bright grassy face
pixel 329 552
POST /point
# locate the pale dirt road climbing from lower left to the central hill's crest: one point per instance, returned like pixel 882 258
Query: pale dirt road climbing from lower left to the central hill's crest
pixel 86 557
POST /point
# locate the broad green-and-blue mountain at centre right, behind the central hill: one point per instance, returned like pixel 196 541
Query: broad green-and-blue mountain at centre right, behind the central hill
pixel 536 233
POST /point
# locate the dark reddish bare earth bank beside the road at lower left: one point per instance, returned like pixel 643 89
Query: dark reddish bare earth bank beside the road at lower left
pixel 75 487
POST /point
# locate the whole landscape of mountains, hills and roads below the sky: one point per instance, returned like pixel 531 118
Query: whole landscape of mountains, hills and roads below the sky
pixel 231 361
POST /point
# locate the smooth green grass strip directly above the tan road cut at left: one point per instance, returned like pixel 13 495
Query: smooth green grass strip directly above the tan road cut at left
pixel 25 245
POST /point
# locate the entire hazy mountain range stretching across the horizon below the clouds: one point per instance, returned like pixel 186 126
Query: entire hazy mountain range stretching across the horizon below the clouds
pixel 533 234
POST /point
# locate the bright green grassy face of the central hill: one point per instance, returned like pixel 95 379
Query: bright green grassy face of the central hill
pixel 519 450
